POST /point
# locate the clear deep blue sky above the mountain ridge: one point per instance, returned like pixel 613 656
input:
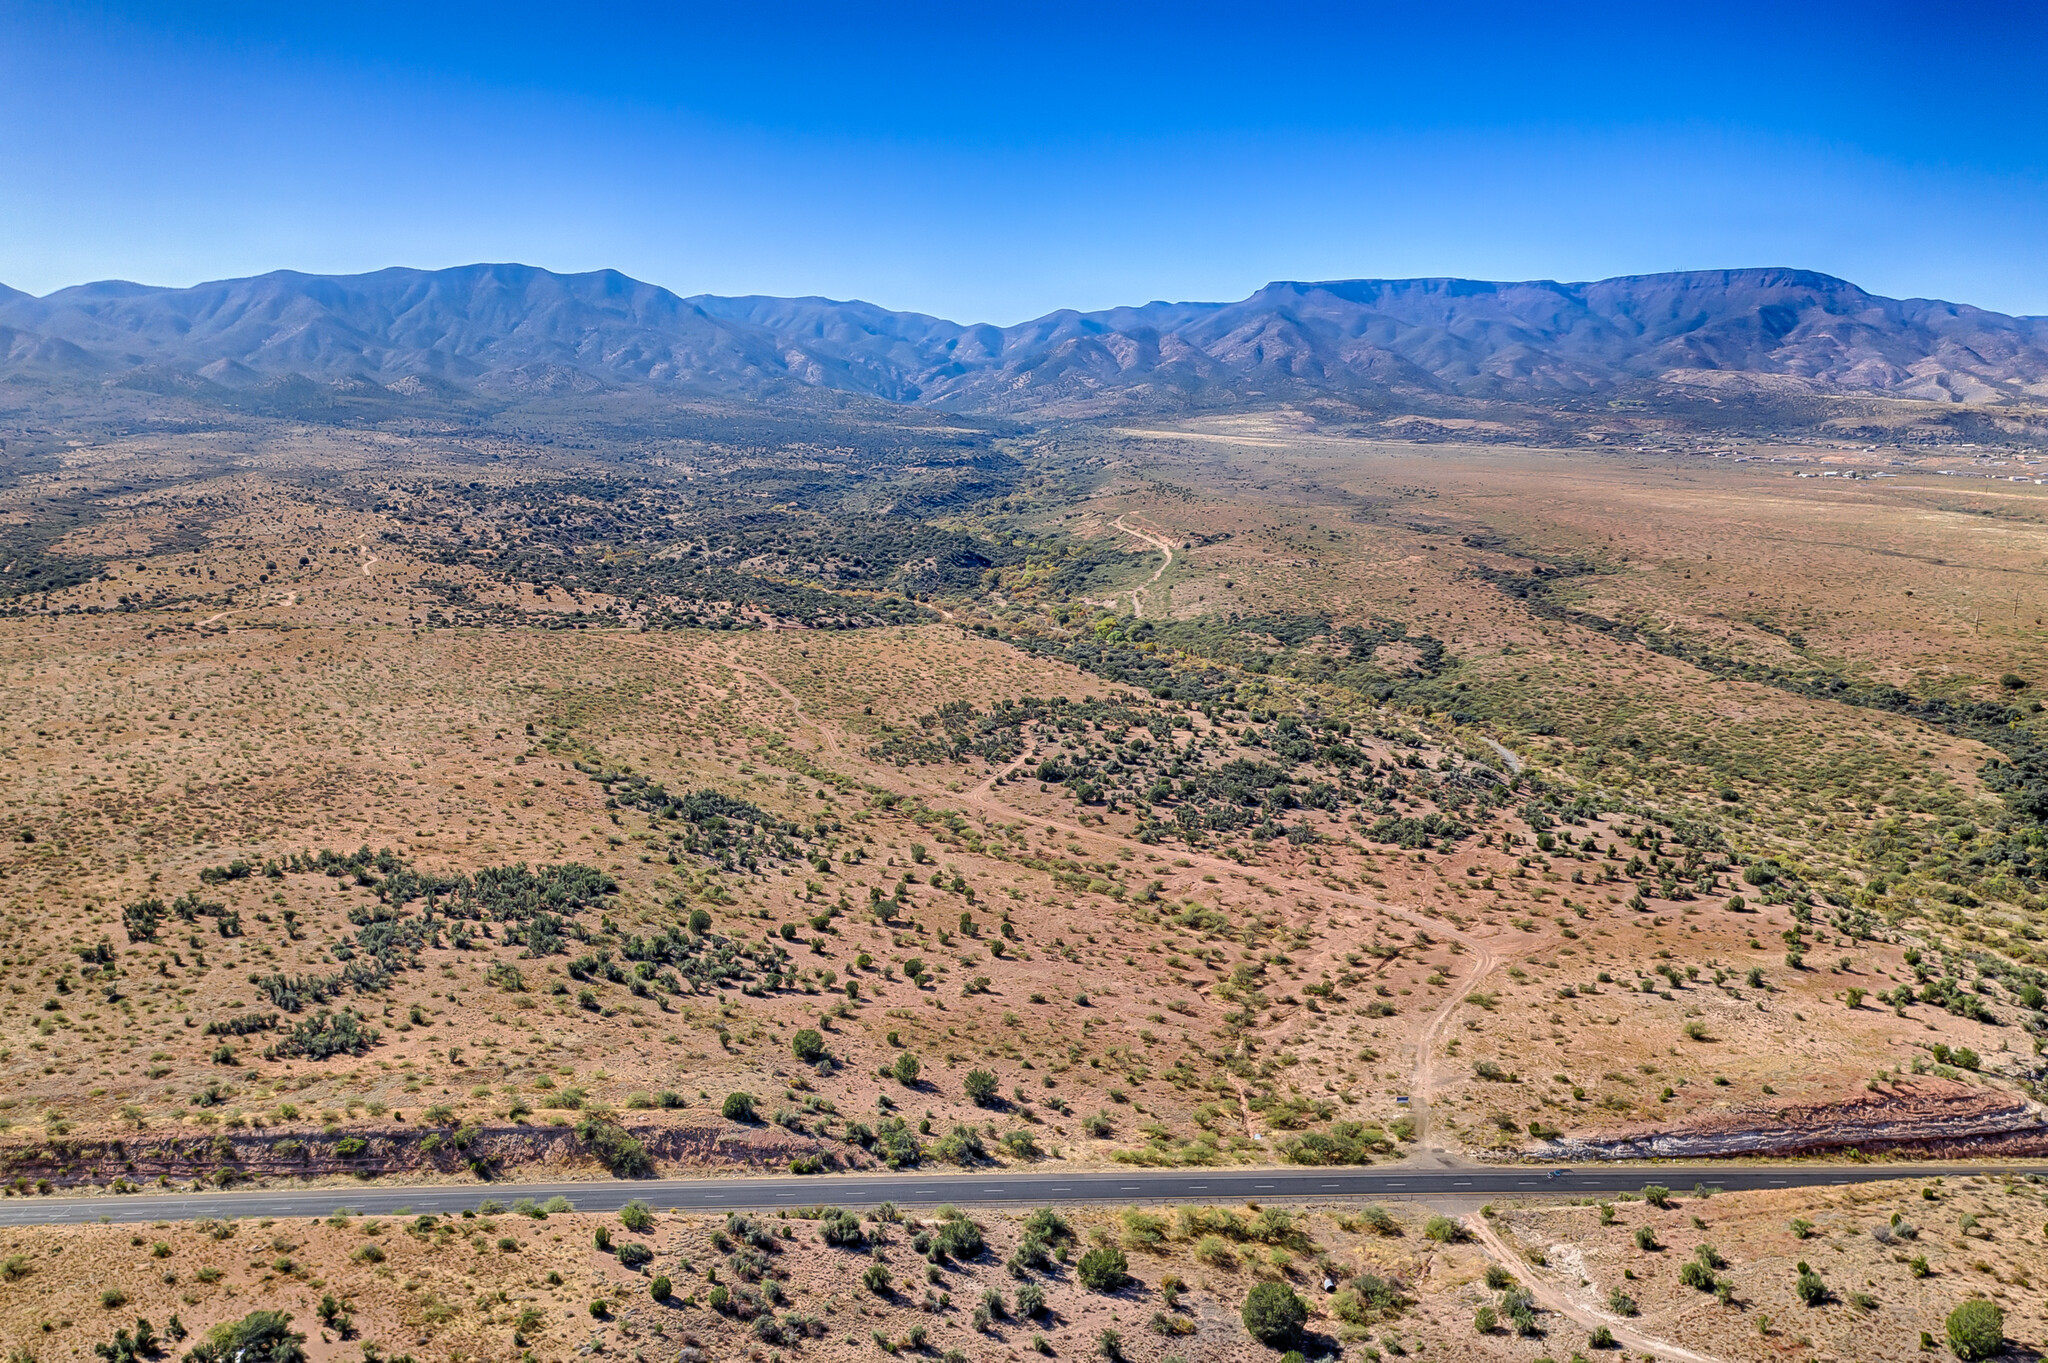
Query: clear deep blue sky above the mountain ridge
pixel 994 163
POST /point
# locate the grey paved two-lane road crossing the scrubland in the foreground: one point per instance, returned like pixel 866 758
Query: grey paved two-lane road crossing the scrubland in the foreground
pixel 923 1190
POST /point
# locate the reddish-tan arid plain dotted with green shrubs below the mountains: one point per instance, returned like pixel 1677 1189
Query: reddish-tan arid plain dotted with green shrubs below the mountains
pixel 1242 793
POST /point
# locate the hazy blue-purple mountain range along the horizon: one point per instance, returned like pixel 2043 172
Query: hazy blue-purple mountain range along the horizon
pixel 507 331
